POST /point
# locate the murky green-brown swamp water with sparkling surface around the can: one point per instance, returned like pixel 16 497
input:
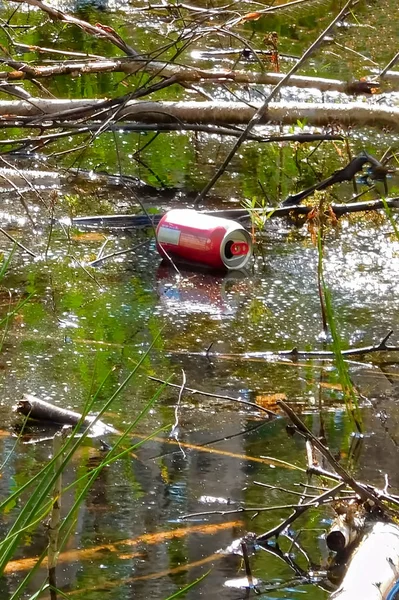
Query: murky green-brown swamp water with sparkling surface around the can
pixel 138 534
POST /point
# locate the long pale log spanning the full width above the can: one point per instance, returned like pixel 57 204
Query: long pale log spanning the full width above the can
pixel 210 112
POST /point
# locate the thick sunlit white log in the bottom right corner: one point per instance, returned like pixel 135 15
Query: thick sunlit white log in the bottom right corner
pixel 374 566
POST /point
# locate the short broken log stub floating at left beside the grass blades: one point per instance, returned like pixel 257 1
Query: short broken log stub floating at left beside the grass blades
pixel 38 410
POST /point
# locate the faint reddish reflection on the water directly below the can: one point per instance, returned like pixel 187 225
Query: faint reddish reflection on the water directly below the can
pixel 201 292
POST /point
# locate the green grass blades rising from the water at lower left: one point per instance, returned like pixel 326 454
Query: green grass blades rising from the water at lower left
pixel 36 495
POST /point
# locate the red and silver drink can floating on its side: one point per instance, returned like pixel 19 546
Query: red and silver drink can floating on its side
pixel 196 237
